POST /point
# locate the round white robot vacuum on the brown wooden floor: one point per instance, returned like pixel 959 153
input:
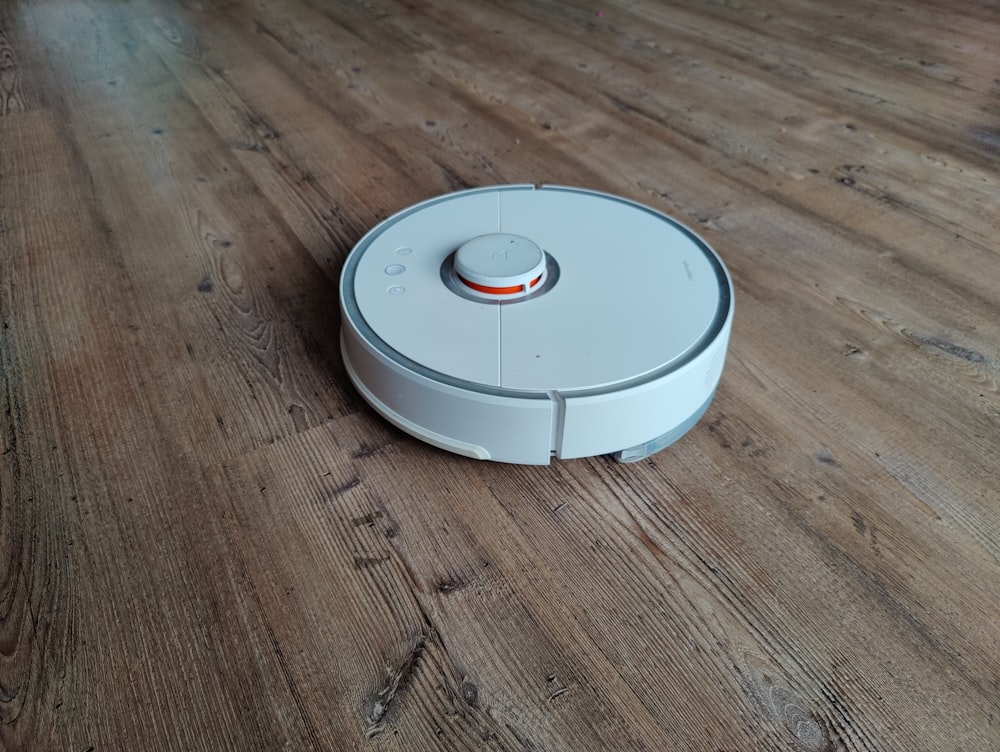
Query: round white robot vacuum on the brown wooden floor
pixel 519 323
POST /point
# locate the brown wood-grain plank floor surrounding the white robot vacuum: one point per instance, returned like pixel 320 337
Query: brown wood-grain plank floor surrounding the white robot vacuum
pixel 208 541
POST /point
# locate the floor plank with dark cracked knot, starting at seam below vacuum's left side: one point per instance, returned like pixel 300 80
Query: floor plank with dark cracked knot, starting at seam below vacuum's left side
pixel 422 673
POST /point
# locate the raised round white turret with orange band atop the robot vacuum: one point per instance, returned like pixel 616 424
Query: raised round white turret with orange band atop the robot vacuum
pixel 500 265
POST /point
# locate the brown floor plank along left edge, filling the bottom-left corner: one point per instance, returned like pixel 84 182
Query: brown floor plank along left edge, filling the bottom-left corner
pixel 96 530
